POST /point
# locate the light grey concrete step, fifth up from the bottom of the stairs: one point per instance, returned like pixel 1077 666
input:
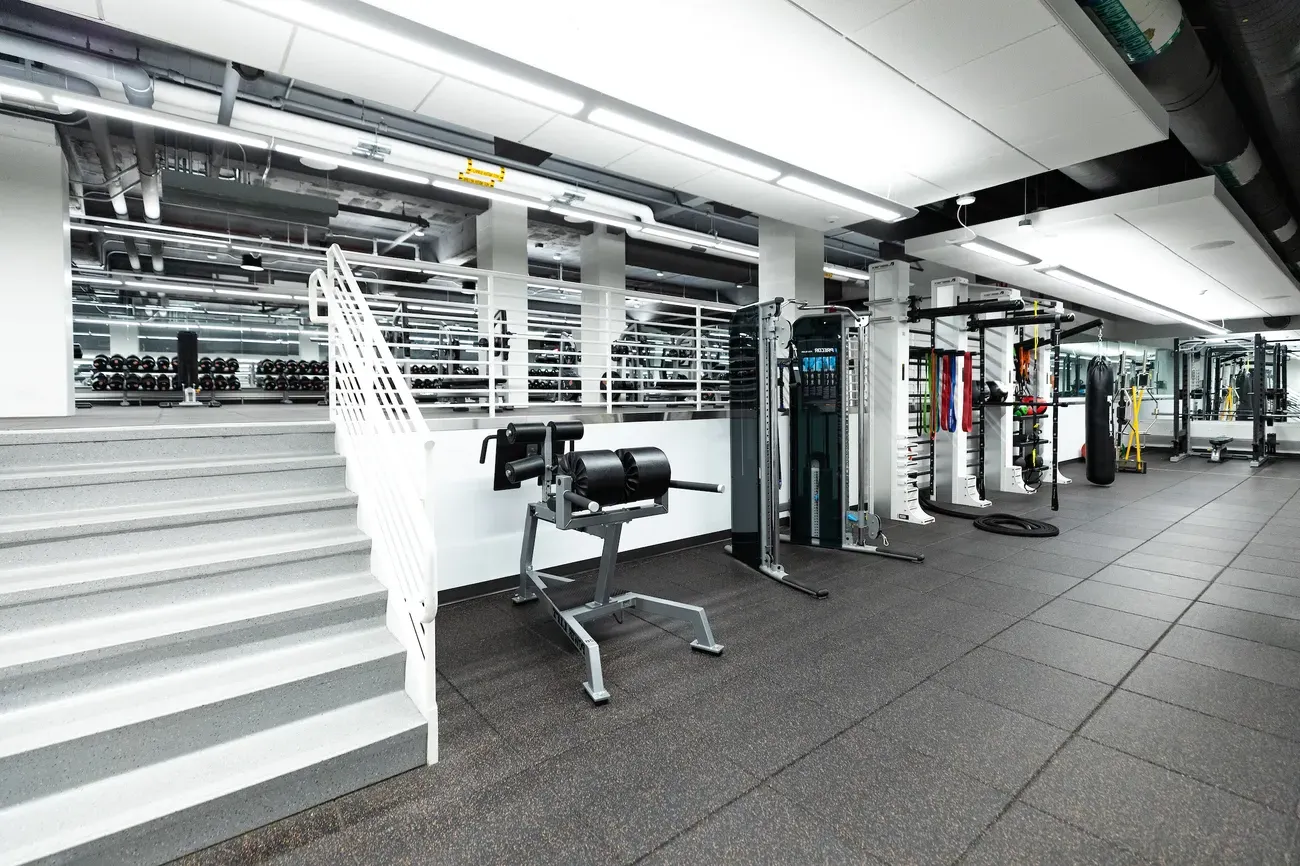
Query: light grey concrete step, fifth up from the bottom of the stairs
pixel 70 538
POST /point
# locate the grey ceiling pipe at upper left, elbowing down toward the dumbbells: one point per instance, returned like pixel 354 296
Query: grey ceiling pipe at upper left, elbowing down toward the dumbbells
pixel 138 88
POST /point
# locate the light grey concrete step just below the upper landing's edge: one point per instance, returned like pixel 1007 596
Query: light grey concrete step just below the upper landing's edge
pixel 27 493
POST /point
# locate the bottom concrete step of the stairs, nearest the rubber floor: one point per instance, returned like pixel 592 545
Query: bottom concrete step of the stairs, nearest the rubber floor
pixel 161 812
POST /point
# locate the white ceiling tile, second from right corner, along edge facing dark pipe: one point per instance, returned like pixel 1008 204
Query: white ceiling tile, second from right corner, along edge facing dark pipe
pixel 1046 62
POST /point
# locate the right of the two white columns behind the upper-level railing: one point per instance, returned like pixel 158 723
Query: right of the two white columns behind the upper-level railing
pixel 605 263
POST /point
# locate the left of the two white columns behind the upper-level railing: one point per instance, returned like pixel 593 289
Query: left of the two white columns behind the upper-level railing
pixel 504 246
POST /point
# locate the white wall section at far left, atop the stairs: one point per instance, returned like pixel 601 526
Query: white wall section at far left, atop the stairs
pixel 36 295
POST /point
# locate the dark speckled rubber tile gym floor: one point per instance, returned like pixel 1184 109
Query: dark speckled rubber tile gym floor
pixel 1125 694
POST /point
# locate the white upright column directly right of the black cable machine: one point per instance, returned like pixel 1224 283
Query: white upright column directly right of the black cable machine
pixel 894 449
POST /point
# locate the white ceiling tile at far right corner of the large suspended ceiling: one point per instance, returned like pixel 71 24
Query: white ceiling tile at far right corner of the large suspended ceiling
pixel 1068 111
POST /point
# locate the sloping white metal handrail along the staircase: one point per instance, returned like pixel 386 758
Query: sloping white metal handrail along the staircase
pixel 382 432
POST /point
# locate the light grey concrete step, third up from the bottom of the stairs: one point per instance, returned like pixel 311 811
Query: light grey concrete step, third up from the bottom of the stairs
pixel 42 656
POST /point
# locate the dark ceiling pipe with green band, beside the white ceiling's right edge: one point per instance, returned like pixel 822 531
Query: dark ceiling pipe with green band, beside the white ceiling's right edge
pixel 1168 57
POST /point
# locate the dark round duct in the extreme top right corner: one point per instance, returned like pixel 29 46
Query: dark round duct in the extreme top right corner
pixel 1263 40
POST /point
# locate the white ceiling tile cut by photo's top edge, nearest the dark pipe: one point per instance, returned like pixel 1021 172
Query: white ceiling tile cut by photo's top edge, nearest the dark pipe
pixel 928 38
